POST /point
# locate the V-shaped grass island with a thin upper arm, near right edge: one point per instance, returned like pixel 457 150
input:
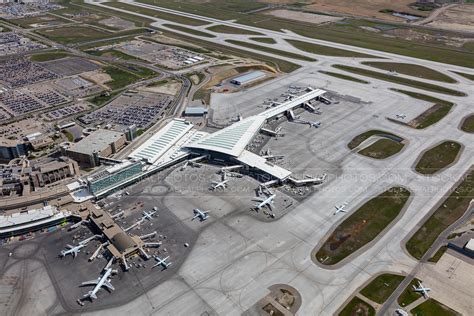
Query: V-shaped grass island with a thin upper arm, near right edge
pixel 433 115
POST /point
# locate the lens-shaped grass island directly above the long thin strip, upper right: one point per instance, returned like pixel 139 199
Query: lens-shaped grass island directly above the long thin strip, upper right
pixel 411 70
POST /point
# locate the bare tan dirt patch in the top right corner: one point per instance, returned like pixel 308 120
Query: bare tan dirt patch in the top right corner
pixel 457 18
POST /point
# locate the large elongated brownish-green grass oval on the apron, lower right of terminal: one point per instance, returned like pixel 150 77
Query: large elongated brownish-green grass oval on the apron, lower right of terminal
pixel 363 225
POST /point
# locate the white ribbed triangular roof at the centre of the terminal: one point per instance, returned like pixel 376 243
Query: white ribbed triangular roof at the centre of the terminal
pixel 231 140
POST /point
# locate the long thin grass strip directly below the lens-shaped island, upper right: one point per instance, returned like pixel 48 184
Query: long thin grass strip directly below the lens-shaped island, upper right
pixel 400 80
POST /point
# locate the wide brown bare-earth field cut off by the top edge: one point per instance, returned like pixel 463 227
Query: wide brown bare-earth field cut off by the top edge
pixel 365 8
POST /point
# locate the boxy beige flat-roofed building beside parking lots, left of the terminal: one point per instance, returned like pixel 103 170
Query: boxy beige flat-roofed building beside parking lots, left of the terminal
pixel 100 143
